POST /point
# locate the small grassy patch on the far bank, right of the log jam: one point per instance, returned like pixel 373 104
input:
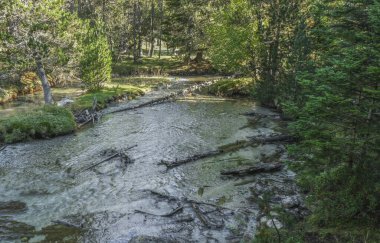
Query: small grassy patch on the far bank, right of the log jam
pixel 232 87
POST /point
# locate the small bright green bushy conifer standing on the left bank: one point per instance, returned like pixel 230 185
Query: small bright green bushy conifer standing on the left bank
pixel 96 60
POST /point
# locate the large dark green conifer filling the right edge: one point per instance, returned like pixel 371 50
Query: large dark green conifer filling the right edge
pixel 339 120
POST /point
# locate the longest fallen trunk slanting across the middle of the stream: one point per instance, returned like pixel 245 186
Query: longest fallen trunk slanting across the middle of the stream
pixel 253 141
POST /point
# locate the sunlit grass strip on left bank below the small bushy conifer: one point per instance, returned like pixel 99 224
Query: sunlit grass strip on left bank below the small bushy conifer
pixel 105 96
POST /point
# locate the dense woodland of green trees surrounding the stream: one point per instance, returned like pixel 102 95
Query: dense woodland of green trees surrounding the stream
pixel 316 61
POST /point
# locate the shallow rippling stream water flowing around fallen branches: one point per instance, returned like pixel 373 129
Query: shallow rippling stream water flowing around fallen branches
pixel 46 196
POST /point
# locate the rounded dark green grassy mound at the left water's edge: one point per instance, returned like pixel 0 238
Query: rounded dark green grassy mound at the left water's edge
pixel 44 122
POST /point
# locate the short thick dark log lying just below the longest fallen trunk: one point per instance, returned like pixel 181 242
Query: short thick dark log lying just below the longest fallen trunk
pixel 259 168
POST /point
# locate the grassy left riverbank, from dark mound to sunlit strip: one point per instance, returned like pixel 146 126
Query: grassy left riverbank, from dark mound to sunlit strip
pixel 39 122
